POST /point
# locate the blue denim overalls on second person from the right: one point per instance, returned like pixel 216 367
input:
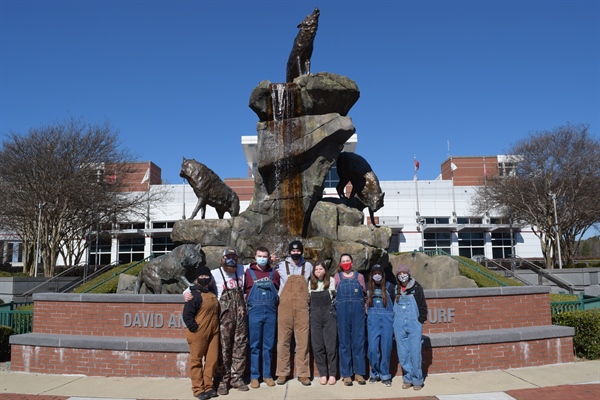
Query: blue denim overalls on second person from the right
pixel 380 327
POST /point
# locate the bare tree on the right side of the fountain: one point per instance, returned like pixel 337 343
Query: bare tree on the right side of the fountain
pixel 563 162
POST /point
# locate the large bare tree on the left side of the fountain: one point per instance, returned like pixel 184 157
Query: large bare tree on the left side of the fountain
pixel 58 181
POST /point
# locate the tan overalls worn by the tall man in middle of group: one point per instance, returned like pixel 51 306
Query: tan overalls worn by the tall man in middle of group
pixel 293 319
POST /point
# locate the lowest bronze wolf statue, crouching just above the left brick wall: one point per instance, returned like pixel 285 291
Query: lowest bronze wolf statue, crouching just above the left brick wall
pixel 178 266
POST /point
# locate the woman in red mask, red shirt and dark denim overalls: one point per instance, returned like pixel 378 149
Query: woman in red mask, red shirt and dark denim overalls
pixel 350 304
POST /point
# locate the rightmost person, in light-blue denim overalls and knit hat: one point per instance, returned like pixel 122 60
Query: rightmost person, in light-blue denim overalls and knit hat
pixel 410 313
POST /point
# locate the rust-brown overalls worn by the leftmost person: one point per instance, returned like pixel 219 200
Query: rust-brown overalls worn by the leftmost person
pixel 204 343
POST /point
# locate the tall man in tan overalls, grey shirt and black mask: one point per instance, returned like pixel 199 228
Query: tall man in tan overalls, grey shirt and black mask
pixel 293 315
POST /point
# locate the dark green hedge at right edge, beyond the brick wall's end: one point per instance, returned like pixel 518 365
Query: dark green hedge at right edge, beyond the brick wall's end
pixel 587 331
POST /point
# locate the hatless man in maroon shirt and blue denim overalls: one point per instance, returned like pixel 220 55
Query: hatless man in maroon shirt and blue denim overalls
pixel 261 284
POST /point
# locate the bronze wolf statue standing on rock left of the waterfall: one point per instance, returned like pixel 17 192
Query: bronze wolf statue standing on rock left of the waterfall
pixel 209 189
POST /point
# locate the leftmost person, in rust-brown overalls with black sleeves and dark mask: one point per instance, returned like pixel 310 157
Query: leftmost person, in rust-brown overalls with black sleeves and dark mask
pixel 201 316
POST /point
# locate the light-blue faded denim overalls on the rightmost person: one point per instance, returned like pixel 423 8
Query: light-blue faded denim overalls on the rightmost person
pixel 408 331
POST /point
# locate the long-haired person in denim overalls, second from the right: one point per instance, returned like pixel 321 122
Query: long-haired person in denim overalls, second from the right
pixel 380 325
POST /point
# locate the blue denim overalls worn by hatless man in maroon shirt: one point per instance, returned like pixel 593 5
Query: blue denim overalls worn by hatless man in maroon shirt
pixel 262 321
